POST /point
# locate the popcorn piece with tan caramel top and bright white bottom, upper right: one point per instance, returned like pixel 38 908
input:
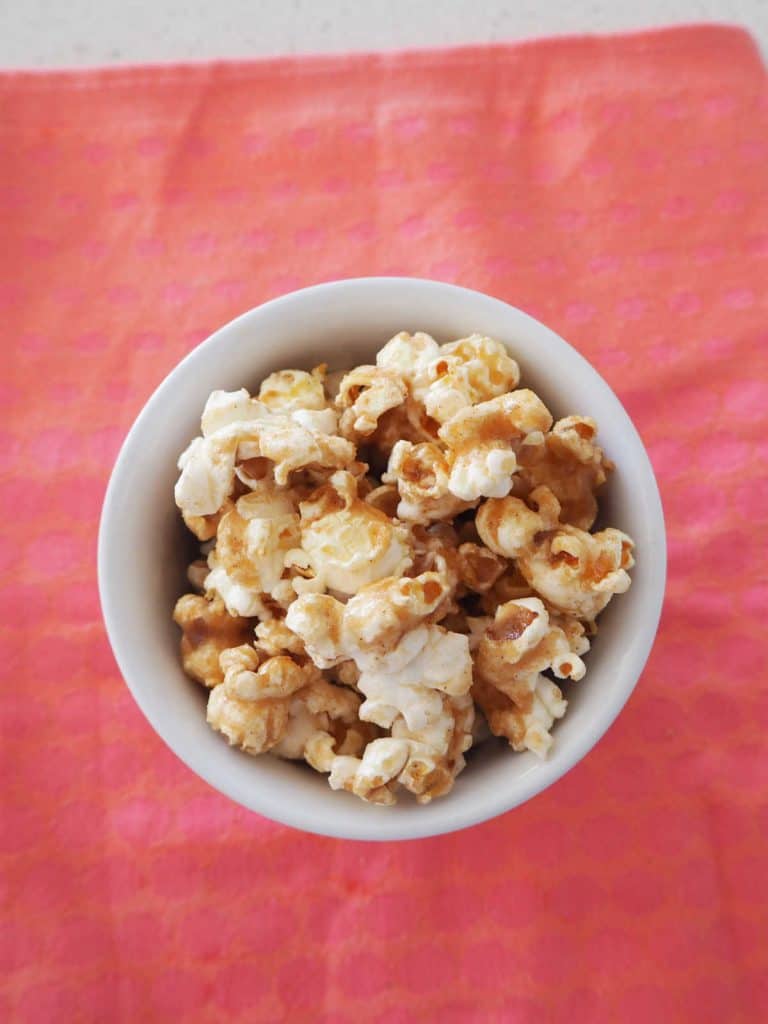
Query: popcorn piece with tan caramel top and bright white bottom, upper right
pixel 485 441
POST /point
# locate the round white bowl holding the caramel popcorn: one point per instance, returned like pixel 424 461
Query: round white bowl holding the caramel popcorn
pixel 144 548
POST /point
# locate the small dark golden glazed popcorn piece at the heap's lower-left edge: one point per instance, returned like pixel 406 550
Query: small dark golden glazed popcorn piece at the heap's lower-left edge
pixel 207 630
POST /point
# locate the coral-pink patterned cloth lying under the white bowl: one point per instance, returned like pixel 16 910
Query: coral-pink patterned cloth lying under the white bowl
pixel 614 188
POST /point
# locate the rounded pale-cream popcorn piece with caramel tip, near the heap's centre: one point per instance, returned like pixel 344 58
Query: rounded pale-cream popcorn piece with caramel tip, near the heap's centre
pixel 348 542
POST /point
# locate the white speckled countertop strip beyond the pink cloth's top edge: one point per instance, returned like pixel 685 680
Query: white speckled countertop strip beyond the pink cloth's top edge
pixel 78 33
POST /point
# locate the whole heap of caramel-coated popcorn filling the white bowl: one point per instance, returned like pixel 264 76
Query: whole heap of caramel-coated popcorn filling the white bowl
pixel 396 563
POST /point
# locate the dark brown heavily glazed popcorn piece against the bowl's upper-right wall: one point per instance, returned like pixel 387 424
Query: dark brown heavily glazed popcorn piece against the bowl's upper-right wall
pixel 572 465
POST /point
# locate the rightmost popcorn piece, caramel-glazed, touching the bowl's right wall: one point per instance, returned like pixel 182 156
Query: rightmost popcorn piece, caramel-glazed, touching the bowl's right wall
pixel 579 573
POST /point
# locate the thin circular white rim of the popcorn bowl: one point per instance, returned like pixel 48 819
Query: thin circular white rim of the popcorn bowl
pixel 404 828
